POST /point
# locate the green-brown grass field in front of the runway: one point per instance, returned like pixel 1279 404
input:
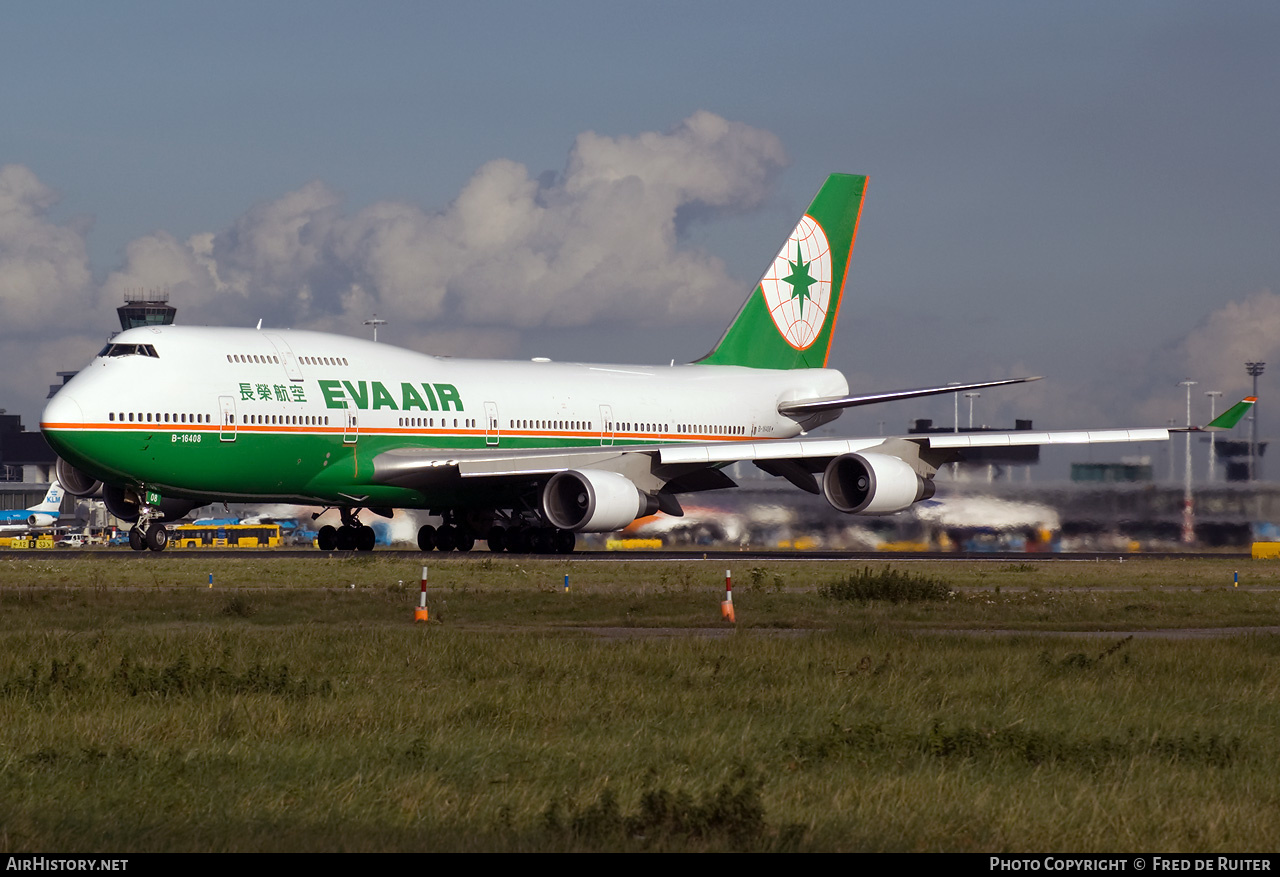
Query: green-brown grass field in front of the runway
pixel 295 706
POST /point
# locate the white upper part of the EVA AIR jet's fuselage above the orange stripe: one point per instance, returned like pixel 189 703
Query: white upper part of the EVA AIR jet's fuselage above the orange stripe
pixel 194 368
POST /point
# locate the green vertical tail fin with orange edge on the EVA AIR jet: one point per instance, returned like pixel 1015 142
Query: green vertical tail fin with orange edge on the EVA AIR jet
pixel 790 316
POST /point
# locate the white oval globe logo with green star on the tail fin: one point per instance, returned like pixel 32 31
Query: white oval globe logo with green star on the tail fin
pixel 798 285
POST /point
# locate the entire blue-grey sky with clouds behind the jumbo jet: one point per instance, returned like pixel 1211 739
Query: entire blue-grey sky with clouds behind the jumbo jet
pixel 1085 191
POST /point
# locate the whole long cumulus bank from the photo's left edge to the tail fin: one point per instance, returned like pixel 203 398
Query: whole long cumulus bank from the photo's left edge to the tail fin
pixel 601 241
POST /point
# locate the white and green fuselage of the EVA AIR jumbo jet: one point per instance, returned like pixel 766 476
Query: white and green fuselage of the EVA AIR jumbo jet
pixel 298 417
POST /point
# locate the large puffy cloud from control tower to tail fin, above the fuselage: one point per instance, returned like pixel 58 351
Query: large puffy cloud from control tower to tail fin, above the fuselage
pixel 602 241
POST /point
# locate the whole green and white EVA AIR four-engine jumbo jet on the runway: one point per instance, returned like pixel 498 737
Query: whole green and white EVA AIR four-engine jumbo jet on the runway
pixel 524 455
